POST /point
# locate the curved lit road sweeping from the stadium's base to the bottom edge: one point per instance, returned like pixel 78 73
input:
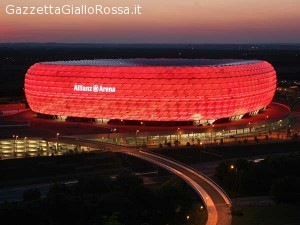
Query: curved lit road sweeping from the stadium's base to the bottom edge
pixel 216 201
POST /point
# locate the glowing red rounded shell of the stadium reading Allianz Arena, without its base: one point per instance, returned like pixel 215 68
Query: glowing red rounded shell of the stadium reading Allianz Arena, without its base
pixel 150 89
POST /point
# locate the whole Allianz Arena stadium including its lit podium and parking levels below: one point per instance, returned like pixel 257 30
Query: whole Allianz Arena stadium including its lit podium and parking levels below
pixel 146 102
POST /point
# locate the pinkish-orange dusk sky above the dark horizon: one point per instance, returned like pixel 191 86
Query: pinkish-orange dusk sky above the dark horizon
pixel 162 21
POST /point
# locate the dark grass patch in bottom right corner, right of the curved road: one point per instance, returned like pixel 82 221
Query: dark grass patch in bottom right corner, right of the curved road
pixel 281 214
